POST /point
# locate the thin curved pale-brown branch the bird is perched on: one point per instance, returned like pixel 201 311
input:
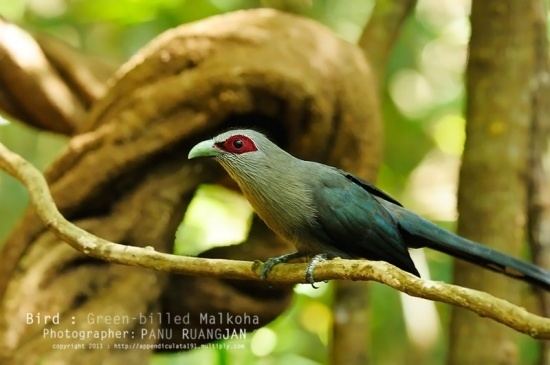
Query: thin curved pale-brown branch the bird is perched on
pixel 481 303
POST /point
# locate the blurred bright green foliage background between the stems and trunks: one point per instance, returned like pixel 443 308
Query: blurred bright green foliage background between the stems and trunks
pixel 422 104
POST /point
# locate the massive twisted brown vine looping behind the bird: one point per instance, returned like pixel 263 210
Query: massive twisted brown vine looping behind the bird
pixel 126 177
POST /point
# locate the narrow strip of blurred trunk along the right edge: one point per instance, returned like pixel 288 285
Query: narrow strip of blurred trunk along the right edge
pixel 539 167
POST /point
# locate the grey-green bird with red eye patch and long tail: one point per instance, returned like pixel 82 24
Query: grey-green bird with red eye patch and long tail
pixel 326 212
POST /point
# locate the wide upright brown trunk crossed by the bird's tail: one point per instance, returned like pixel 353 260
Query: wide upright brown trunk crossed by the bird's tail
pixel 492 193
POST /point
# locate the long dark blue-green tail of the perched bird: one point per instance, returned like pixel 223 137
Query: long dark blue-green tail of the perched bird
pixel 419 232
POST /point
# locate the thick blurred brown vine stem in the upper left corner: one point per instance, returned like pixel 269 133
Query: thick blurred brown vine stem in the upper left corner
pixel 45 83
